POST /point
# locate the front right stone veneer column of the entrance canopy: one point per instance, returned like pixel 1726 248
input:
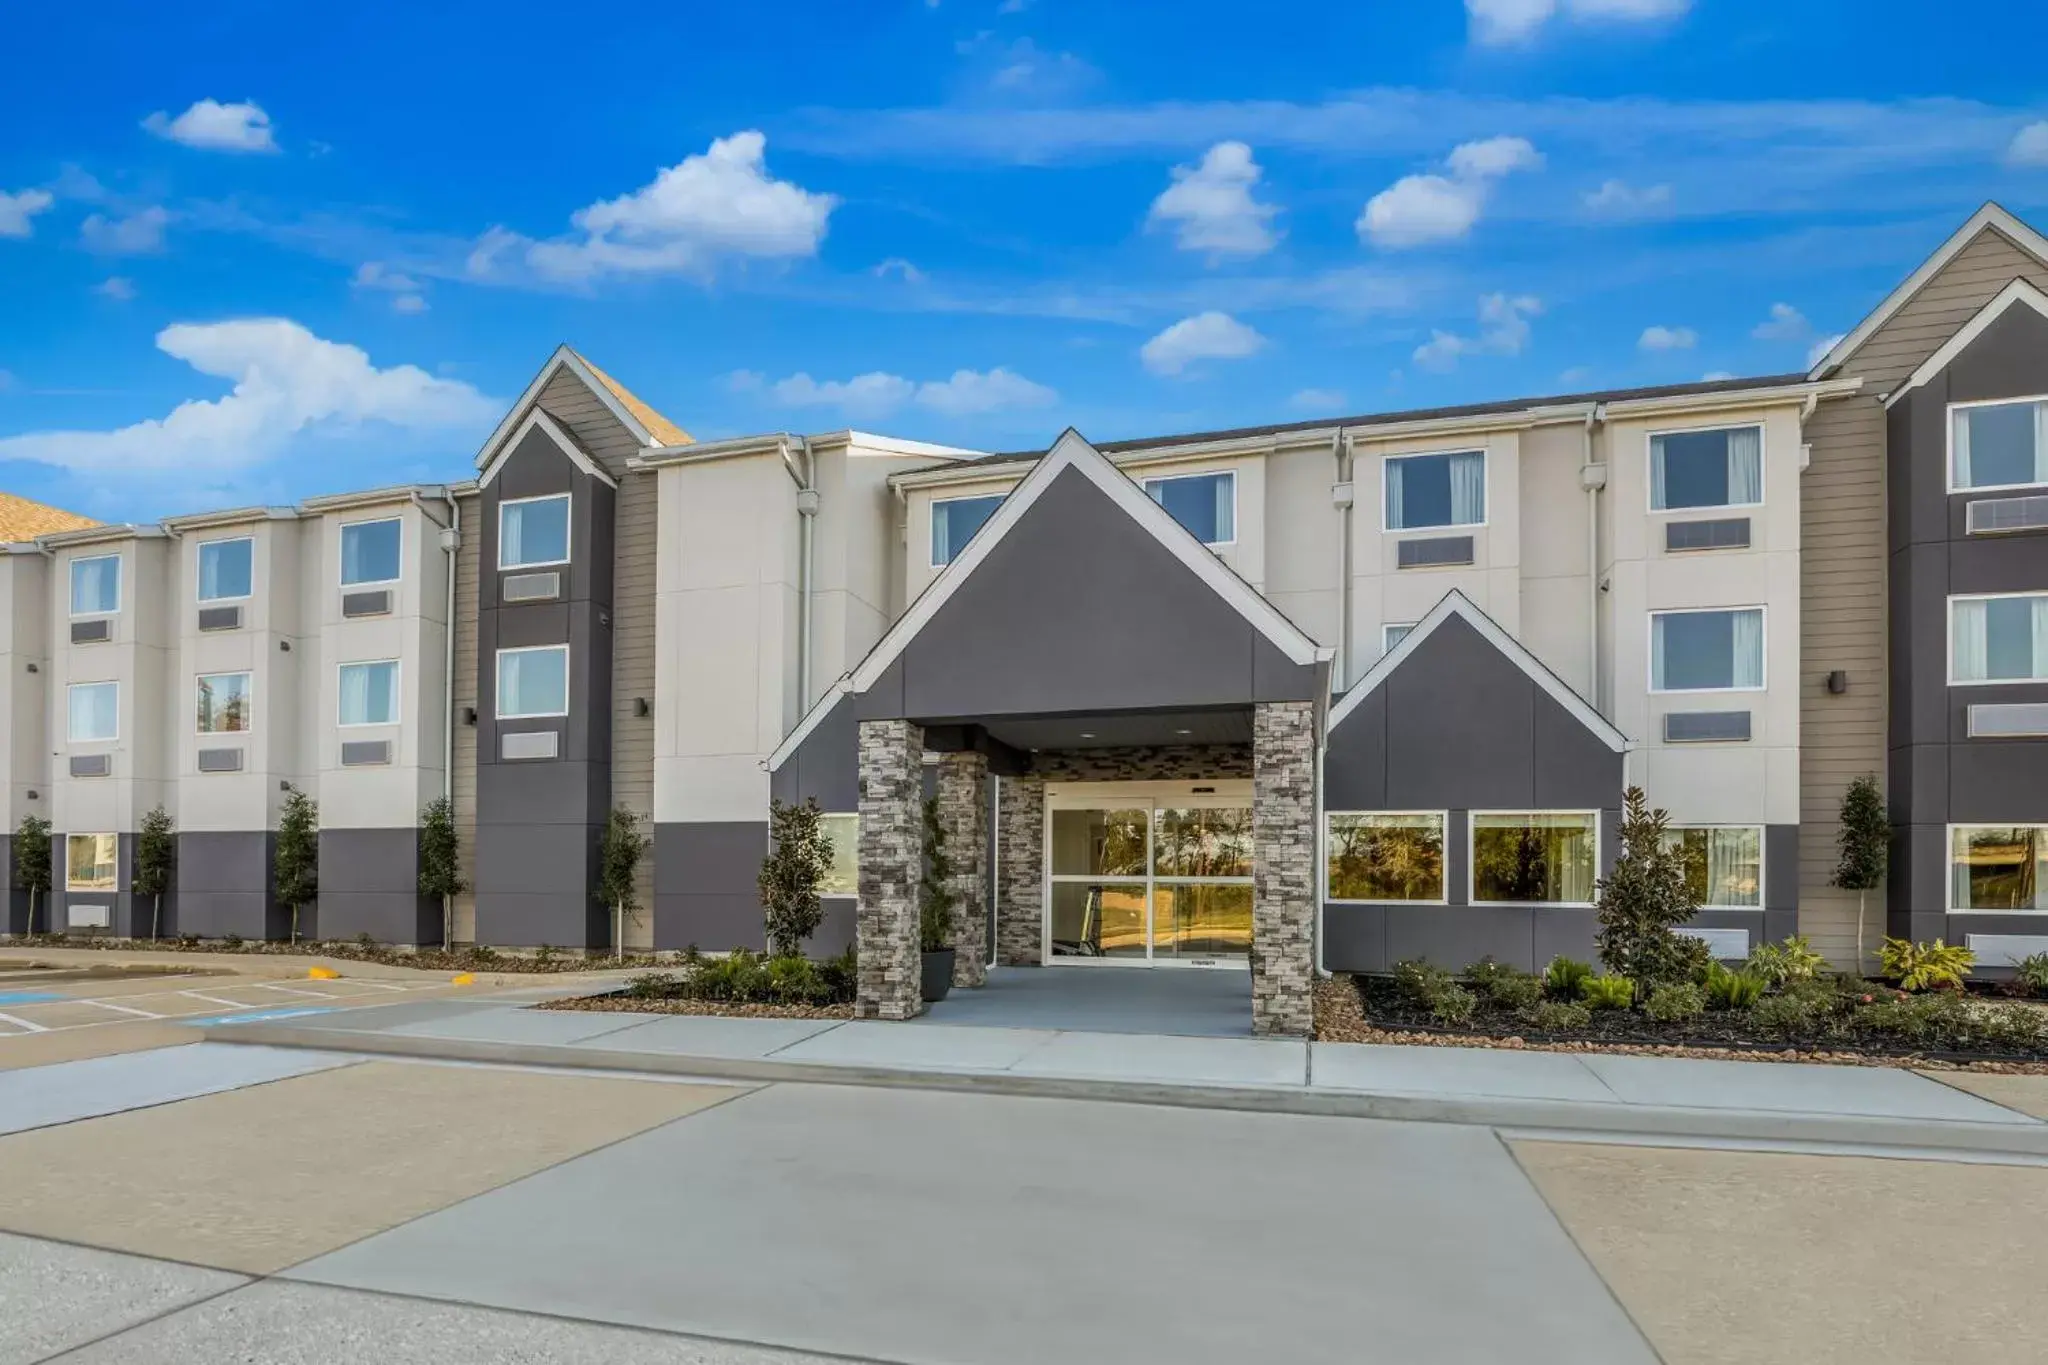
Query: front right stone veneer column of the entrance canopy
pixel 1283 873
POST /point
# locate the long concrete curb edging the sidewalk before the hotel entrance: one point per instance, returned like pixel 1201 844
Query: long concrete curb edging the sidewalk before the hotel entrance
pixel 1527 1116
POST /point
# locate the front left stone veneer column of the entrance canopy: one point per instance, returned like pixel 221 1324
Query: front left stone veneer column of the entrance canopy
pixel 892 863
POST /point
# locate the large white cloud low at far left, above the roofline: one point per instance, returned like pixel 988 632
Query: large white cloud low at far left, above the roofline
pixel 286 382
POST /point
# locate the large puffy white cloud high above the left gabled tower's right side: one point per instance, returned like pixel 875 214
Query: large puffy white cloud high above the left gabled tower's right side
pixel 706 208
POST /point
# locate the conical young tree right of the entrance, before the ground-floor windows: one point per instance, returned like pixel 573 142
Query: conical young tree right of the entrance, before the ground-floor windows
pixel 1644 901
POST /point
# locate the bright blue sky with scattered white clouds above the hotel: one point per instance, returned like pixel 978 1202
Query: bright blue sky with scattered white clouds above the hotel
pixel 251 257
